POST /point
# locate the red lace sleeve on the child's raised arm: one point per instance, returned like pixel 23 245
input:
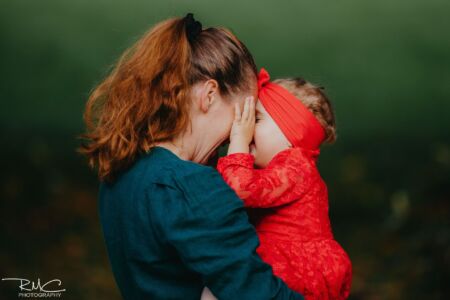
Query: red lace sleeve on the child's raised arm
pixel 279 183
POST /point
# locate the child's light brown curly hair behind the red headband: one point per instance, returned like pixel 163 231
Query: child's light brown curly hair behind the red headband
pixel 314 98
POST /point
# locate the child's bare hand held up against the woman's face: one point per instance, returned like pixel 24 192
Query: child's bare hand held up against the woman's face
pixel 243 127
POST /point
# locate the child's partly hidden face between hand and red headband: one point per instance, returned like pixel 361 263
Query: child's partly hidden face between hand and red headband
pixel 268 138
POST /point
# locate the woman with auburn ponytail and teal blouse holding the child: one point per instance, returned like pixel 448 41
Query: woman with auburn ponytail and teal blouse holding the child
pixel 171 225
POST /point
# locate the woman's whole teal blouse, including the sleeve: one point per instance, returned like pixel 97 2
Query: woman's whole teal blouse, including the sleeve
pixel 173 226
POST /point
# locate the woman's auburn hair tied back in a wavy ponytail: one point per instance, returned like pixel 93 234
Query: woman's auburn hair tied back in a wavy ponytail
pixel 145 98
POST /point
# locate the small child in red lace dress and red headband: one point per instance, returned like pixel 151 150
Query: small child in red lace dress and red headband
pixel 286 194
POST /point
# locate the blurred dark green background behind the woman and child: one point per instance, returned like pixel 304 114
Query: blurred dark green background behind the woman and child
pixel 385 65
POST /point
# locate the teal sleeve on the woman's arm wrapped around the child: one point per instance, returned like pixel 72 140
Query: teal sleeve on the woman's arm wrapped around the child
pixel 207 225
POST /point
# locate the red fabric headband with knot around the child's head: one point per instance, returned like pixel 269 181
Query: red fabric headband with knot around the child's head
pixel 298 124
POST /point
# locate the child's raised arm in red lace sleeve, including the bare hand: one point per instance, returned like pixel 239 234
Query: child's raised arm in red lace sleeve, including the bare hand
pixel 270 187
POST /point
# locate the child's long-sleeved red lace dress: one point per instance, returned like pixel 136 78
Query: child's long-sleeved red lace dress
pixel 289 208
